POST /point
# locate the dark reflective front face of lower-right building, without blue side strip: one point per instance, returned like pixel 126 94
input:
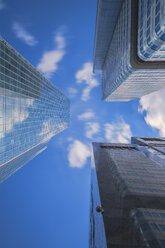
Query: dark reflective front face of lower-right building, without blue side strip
pixel 127 180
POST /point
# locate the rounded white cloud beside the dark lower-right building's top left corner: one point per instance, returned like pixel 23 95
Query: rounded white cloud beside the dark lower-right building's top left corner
pixel 78 154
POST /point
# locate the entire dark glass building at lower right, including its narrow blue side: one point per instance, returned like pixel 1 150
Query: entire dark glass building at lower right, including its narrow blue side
pixel 125 178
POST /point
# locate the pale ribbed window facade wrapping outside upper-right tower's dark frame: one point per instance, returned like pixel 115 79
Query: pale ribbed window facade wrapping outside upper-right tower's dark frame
pixel 121 81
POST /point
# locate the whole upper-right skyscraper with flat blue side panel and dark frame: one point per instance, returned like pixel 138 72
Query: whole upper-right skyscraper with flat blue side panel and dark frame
pixel 130 48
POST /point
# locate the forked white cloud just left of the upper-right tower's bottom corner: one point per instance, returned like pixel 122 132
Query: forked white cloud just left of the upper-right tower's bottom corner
pixel 86 75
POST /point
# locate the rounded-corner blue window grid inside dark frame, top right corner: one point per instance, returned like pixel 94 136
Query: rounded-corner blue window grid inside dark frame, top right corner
pixel 151 31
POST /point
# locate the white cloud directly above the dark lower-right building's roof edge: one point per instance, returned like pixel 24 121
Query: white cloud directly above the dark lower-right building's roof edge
pixel 117 132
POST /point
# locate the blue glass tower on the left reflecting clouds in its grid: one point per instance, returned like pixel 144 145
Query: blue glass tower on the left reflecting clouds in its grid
pixel 32 111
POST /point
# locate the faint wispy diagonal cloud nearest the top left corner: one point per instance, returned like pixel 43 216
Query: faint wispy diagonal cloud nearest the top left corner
pixel 22 34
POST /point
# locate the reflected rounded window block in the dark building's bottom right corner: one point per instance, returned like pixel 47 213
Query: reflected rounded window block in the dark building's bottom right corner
pixel 148 227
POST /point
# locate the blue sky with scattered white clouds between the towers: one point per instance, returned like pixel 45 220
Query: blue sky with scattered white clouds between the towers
pixel 46 203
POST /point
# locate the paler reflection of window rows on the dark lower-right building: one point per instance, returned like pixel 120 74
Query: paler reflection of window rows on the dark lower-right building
pixel 135 172
